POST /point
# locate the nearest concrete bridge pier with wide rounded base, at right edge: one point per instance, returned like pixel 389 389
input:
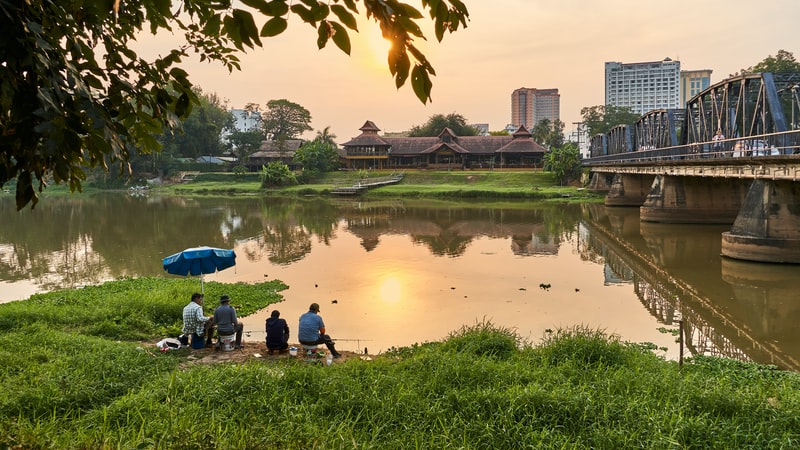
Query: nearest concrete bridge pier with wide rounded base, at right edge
pixel 767 228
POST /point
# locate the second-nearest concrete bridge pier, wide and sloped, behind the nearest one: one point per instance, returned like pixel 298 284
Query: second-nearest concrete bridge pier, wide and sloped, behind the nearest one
pixel 675 199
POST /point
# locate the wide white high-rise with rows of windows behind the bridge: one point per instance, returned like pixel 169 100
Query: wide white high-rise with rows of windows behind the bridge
pixel 644 86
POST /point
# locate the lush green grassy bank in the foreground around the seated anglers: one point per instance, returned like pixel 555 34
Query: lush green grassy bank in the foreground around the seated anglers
pixel 74 374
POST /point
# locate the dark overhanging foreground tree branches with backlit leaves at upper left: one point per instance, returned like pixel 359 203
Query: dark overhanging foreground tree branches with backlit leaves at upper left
pixel 74 95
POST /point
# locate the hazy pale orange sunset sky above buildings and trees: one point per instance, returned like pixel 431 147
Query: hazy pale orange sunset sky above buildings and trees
pixel 508 44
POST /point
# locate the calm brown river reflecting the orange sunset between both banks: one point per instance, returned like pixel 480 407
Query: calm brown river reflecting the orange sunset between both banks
pixel 392 273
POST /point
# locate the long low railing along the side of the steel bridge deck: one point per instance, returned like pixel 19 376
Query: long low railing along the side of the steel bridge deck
pixel 773 145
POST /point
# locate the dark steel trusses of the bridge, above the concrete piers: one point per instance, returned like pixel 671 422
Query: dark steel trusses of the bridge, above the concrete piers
pixel 760 109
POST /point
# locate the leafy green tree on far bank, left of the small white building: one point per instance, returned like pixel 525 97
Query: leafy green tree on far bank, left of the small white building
pixel 201 132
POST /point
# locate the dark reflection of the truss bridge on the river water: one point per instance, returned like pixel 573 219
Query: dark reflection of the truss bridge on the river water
pixel 741 310
